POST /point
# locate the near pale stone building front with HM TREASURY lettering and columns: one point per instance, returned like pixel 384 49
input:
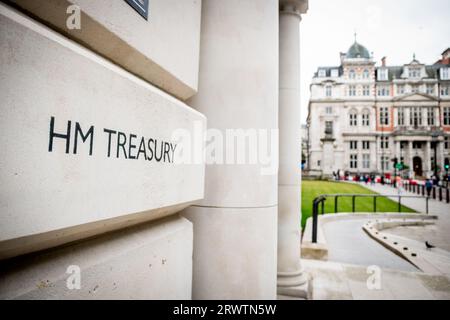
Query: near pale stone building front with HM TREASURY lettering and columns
pixel 109 110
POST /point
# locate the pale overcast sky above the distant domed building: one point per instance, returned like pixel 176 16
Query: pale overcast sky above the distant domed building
pixel 393 28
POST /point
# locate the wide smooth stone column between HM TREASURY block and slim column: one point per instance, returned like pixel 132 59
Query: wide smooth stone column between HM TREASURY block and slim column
pixel 235 225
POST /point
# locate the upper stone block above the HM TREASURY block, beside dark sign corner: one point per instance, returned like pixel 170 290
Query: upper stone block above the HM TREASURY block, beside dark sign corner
pixel 148 59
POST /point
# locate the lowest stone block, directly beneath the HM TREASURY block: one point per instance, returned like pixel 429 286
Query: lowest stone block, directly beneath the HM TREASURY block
pixel 150 261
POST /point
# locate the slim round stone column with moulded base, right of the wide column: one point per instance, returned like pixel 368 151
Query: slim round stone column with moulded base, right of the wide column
pixel 291 278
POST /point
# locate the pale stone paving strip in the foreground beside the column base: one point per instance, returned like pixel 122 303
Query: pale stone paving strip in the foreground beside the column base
pixel 339 281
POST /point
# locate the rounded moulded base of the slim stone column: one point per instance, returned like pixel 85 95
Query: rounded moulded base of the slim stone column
pixel 294 284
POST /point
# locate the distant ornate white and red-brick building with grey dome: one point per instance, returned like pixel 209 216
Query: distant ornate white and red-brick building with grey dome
pixel 365 118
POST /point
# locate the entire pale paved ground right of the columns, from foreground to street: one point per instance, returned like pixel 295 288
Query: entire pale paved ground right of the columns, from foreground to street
pixel 361 268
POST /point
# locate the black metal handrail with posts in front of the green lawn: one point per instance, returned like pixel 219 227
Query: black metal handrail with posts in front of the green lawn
pixel 320 200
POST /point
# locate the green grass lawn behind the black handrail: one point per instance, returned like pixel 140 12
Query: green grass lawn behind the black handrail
pixel 313 189
